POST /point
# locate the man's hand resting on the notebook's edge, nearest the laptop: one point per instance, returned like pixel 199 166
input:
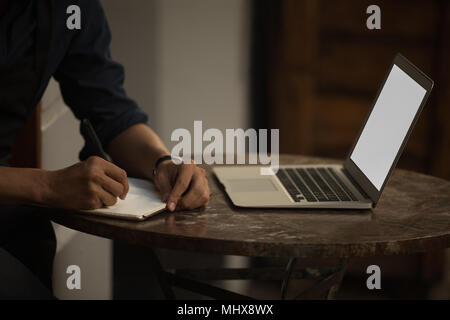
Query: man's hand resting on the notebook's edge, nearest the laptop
pixel 183 186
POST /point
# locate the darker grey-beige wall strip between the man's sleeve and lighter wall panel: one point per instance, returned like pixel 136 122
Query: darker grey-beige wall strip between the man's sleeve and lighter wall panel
pixel 134 28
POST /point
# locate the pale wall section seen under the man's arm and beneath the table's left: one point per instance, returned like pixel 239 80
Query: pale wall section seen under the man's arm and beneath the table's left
pixel 61 143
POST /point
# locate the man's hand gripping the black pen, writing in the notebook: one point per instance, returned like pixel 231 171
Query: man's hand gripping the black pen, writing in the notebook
pixel 90 184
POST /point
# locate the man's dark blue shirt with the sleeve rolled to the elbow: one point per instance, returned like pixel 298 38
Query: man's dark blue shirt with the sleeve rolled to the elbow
pixel 91 82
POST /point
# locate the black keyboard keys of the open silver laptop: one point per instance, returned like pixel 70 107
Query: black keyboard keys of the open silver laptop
pixel 314 184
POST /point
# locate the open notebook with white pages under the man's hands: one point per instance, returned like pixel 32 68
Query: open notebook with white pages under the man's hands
pixel 142 201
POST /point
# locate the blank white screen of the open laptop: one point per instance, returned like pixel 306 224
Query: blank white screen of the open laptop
pixel 387 126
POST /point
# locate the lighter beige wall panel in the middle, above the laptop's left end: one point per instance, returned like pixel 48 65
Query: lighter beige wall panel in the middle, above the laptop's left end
pixel 203 52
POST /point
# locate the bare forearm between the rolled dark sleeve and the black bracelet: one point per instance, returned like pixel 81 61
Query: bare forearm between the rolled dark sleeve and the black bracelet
pixel 136 150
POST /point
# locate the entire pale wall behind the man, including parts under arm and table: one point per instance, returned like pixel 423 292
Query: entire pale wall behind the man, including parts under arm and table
pixel 184 61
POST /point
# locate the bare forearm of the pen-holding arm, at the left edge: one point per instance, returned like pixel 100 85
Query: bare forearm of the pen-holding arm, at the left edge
pixel 22 186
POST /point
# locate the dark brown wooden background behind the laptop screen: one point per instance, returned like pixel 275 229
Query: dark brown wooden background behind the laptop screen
pixel 317 68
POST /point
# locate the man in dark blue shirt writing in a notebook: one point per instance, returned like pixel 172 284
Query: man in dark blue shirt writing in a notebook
pixel 35 44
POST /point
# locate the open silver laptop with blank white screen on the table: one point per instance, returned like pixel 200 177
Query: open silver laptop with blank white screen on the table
pixel 359 182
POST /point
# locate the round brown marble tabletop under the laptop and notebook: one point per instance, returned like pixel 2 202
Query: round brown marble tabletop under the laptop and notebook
pixel 413 215
